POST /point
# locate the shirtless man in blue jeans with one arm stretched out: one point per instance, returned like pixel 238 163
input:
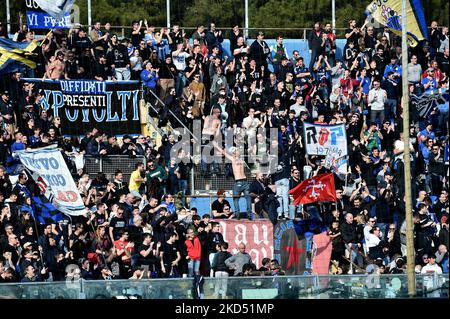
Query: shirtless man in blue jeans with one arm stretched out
pixel 241 184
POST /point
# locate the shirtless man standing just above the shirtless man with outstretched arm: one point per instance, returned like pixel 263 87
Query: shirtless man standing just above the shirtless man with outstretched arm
pixel 211 129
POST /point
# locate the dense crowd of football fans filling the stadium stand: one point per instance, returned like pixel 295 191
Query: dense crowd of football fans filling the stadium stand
pixel 137 229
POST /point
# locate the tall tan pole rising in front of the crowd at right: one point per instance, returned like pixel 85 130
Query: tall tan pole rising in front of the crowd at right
pixel 407 160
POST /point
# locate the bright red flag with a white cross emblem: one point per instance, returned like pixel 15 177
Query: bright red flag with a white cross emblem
pixel 319 188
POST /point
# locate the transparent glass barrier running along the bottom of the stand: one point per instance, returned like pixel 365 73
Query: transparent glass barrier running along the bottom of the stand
pixel 260 287
